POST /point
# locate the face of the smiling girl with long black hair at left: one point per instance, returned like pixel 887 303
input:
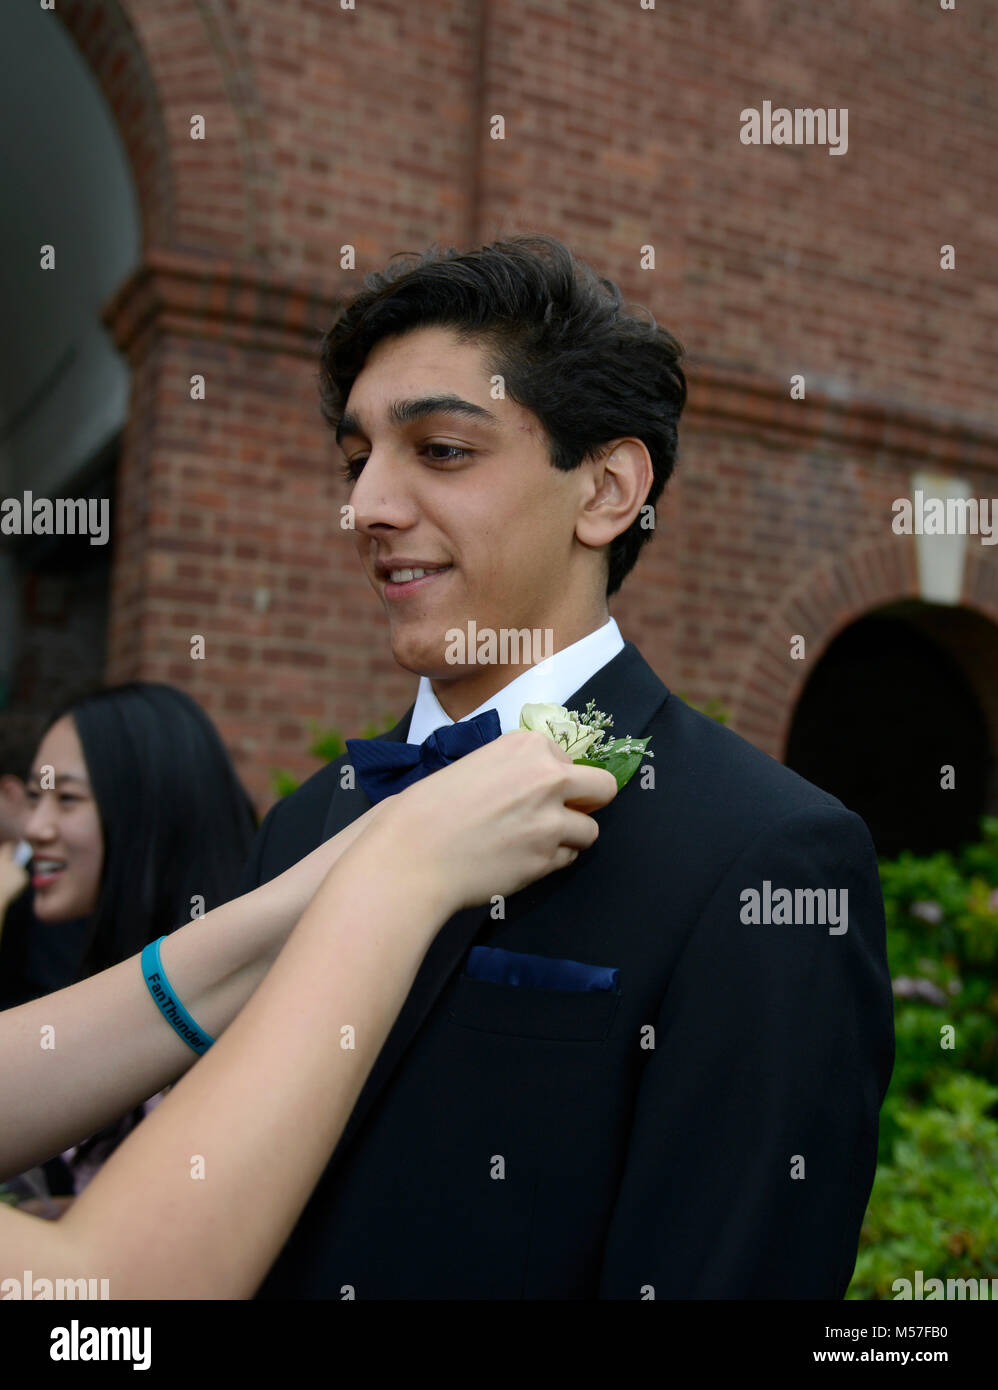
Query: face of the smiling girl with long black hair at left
pixel 63 829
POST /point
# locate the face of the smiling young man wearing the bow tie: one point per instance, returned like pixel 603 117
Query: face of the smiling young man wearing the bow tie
pixel 473 497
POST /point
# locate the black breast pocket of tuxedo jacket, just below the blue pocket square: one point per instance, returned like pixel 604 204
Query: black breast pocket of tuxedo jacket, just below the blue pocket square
pixel 527 1013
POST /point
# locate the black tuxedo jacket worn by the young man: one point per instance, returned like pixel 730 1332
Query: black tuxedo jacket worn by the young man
pixel 705 1131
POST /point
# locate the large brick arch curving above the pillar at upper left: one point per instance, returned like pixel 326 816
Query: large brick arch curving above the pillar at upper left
pixel 194 197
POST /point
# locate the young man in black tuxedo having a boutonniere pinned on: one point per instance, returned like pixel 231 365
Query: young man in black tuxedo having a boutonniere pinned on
pixel 641 1089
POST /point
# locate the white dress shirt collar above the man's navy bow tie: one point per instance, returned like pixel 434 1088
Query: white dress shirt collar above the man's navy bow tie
pixel 547 683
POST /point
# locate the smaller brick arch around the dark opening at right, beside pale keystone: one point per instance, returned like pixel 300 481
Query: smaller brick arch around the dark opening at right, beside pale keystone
pixel 831 597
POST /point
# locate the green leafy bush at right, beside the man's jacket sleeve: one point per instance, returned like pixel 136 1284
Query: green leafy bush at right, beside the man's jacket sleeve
pixel 935 1202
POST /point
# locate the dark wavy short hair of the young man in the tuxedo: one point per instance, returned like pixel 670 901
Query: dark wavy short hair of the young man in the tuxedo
pixel 589 366
